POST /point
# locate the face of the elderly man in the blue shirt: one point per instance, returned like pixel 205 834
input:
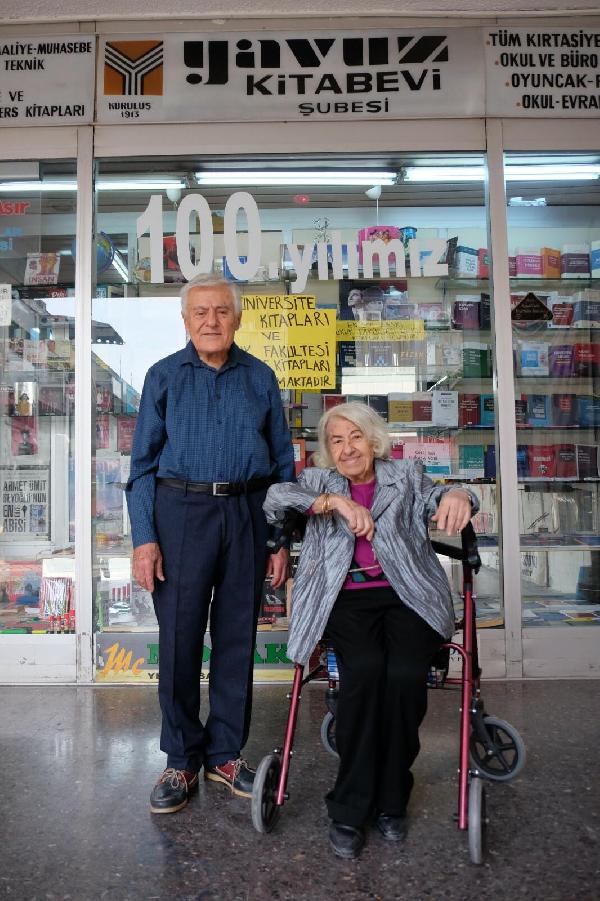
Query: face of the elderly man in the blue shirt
pixel 211 322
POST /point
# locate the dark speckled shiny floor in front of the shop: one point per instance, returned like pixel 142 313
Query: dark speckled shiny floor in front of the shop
pixel 79 763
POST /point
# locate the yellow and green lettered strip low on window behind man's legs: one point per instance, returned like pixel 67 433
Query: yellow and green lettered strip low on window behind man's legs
pixel 134 657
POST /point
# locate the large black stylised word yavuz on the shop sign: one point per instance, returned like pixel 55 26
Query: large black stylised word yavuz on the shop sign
pixel 273 61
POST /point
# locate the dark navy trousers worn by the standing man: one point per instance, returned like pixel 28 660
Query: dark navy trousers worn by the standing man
pixel 214 555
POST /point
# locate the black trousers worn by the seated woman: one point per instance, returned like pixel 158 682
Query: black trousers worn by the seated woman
pixel 384 650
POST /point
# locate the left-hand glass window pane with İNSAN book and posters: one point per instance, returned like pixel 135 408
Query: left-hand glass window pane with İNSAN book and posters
pixel 37 272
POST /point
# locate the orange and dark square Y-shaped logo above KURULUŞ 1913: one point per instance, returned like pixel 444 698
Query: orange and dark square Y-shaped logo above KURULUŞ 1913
pixel 133 68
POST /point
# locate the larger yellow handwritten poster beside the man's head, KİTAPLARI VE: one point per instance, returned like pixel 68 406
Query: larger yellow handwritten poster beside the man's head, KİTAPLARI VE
pixel 292 336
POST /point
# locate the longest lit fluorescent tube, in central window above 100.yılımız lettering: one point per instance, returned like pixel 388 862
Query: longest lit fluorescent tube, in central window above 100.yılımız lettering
pixel 292 178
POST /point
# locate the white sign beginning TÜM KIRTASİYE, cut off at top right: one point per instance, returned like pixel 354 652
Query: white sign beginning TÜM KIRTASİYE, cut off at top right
pixel 543 72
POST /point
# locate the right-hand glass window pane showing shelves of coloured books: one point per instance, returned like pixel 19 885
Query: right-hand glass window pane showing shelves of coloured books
pixel 554 241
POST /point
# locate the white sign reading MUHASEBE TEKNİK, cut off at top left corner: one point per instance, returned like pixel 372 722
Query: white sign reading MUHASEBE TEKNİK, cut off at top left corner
pixel 47 80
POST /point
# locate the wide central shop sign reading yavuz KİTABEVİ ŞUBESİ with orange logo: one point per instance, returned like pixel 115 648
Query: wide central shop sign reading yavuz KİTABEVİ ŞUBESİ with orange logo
pixel 268 76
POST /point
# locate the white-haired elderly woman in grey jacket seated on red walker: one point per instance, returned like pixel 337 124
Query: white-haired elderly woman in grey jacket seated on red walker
pixel 368 578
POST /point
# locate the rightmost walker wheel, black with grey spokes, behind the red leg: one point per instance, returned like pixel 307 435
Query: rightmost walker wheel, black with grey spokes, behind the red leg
pixel 502 755
